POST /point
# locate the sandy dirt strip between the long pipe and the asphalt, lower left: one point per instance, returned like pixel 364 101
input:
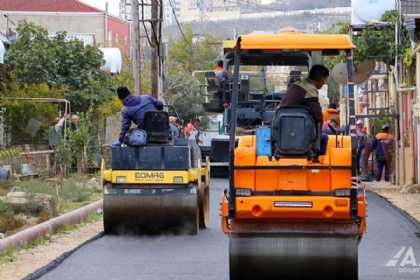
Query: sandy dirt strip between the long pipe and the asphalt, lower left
pixel 27 261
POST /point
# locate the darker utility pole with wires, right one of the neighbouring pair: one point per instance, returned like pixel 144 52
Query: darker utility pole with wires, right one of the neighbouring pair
pixel 156 23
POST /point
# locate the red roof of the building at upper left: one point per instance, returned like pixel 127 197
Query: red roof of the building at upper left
pixel 46 6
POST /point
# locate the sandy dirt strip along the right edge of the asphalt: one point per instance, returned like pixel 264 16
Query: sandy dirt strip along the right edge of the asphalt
pixel 405 197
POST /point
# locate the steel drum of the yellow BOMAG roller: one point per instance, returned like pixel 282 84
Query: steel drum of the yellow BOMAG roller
pixel 151 210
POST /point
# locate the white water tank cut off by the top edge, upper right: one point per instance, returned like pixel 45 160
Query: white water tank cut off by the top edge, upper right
pixel 365 11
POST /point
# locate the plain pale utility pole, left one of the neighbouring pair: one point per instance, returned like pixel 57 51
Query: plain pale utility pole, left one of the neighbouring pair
pixel 135 43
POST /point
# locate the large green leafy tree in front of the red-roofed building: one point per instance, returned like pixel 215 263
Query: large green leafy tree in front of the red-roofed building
pixel 38 58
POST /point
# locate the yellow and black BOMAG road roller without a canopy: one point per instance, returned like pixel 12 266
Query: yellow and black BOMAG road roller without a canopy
pixel 162 186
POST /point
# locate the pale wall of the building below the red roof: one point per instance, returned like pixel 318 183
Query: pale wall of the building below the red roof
pixel 93 23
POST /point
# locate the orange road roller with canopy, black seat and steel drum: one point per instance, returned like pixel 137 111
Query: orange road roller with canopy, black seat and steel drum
pixel 288 216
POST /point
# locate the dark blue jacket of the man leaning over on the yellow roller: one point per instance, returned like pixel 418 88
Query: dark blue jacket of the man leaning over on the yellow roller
pixel 134 109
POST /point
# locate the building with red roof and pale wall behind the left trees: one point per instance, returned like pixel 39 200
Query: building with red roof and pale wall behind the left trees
pixel 79 20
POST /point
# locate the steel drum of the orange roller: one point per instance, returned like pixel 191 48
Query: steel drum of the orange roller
pixel 289 257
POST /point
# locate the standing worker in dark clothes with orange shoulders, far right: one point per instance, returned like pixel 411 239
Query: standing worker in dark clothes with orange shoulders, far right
pixel 383 152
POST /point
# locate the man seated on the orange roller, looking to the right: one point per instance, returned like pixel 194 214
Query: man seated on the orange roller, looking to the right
pixel 305 93
